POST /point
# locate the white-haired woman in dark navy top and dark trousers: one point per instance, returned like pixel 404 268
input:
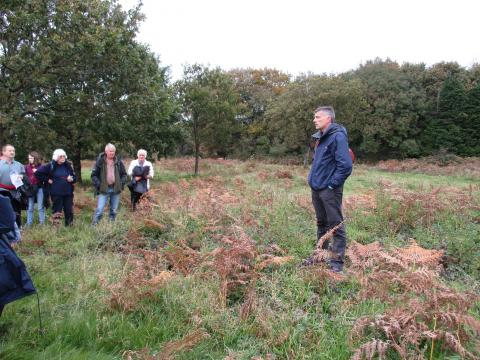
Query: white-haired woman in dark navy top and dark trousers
pixel 59 176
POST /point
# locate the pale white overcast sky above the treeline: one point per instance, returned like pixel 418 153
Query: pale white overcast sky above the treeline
pixel 309 36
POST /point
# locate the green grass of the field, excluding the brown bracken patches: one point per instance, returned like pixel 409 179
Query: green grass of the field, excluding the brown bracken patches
pixel 296 315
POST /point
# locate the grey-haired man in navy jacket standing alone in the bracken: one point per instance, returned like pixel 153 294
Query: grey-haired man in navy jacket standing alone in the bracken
pixel 331 166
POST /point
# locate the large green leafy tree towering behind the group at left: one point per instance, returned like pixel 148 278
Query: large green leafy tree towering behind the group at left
pixel 73 73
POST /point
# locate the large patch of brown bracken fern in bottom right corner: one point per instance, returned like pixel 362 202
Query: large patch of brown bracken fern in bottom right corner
pixel 423 309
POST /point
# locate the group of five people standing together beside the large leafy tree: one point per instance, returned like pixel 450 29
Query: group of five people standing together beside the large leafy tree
pixel 37 183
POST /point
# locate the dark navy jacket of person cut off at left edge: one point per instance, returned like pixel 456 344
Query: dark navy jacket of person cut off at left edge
pixel 15 282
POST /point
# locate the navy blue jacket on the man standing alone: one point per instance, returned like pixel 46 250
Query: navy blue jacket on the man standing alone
pixel 332 163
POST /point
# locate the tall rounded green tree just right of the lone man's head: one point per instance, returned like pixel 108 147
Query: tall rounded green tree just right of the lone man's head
pixel 396 104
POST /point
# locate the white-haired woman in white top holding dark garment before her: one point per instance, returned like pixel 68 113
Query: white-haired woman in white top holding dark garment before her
pixel 141 171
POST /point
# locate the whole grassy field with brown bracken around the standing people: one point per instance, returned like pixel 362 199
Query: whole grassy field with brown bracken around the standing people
pixel 210 268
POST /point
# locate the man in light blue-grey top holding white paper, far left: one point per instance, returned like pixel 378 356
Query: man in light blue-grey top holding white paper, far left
pixel 12 170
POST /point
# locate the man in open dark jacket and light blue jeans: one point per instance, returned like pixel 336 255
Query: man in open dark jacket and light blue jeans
pixel 109 178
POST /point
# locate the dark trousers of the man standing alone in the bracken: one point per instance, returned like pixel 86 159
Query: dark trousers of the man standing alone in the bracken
pixel 328 210
